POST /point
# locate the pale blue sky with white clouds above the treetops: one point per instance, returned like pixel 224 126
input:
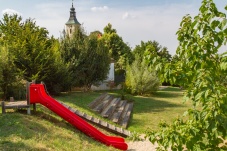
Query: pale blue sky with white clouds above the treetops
pixel 134 20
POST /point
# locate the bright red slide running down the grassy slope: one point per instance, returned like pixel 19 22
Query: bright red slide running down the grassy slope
pixel 38 95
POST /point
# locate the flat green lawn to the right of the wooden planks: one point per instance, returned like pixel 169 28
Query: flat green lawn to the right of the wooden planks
pixel 165 105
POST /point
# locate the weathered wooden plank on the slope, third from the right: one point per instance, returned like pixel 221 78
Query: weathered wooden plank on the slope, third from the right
pixel 108 111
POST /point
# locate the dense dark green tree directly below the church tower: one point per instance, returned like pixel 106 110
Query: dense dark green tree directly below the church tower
pixel 87 56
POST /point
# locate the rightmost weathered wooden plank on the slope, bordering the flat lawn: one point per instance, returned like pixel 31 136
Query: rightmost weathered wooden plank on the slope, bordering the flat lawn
pixel 126 116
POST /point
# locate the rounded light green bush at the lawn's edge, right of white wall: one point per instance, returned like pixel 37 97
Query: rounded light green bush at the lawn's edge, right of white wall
pixel 140 79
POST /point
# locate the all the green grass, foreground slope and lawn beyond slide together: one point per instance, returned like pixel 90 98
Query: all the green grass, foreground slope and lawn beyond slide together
pixel 44 130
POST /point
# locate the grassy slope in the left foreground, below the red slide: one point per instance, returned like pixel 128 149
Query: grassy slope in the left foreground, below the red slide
pixel 42 132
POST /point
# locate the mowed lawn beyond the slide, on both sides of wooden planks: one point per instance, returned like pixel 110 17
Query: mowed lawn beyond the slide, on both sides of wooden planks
pixel 165 105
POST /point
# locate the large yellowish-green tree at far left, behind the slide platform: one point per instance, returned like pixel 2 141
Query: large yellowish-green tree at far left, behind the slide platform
pixel 33 54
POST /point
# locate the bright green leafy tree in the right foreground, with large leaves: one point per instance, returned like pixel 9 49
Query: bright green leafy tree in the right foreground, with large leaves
pixel 200 68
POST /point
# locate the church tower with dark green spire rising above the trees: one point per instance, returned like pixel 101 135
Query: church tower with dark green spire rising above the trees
pixel 72 23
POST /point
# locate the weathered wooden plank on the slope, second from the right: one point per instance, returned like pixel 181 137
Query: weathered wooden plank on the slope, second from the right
pixel 119 110
